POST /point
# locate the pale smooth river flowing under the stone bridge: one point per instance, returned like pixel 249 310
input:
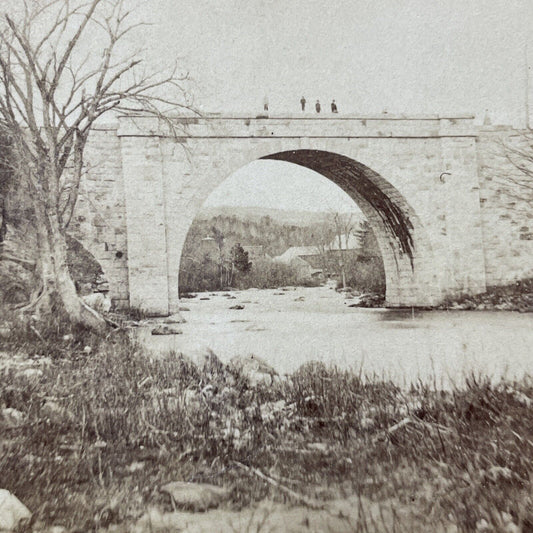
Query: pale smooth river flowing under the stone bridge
pixel 290 327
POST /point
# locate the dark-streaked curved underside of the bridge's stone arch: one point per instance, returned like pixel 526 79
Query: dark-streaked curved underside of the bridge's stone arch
pixel 406 250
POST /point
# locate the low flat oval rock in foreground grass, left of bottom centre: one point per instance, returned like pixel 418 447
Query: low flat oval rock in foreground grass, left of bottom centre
pixel 195 496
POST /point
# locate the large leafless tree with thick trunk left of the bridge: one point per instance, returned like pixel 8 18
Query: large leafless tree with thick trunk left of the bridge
pixel 63 65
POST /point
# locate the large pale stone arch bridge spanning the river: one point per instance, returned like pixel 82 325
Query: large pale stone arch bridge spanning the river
pixel 424 183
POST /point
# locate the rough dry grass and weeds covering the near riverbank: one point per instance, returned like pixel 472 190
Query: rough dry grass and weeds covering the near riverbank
pixel 100 432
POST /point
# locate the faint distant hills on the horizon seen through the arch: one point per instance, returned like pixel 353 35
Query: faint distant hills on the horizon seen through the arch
pixel 282 217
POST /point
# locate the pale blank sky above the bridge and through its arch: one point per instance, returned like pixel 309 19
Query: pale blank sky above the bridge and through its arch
pixel 402 56
